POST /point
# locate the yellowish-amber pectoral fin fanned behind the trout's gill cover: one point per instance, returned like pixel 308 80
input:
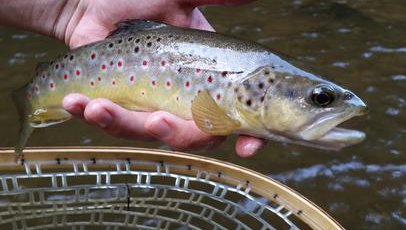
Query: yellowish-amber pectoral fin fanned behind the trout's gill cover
pixel 210 118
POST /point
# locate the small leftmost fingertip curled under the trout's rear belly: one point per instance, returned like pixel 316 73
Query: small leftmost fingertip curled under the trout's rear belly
pixel 75 104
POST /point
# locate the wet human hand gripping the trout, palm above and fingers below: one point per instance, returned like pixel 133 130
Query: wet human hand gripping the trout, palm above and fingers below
pixel 92 21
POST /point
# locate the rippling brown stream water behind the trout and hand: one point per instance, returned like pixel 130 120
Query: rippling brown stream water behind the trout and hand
pixel 358 44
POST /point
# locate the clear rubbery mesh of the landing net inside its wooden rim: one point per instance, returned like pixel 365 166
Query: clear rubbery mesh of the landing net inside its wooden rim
pixel 134 194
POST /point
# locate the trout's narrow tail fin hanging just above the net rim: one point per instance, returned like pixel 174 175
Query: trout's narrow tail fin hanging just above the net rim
pixel 24 109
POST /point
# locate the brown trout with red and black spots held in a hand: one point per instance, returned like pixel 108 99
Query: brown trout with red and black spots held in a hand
pixel 226 85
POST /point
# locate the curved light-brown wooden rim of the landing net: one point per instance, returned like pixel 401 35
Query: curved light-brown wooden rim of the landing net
pixel 261 184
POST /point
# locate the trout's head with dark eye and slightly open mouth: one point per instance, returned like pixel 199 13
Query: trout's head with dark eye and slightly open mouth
pixel 304 108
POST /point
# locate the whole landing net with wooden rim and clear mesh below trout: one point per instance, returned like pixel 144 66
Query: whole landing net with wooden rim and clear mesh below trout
pixel 127 188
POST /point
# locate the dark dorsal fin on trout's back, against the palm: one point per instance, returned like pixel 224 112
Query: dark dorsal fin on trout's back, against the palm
pixel 134 25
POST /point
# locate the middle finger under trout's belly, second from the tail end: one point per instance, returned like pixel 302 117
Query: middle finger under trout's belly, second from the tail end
pixel 116 120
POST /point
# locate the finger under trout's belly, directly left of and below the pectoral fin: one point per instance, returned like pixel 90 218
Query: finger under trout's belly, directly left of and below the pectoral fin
pixel 179 134
